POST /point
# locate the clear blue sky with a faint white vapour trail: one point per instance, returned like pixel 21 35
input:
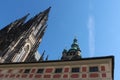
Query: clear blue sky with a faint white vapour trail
pixel 95 23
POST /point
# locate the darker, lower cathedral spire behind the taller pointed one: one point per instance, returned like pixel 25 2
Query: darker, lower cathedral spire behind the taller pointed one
pixel 9 33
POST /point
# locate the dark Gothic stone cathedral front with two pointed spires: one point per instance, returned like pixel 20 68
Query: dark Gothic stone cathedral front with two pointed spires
pixel 20 39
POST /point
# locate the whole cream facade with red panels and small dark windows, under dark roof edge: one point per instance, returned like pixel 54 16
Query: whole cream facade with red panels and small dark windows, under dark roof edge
pixel 99 68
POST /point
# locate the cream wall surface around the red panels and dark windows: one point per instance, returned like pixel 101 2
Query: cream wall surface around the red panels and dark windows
pixel 82 63
